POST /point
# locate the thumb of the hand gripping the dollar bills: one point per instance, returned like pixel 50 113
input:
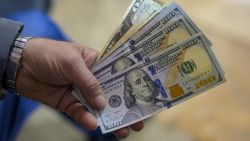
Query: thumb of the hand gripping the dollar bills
pixel 88 85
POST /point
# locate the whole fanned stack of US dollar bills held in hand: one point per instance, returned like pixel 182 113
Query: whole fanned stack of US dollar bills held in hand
pixel 155 60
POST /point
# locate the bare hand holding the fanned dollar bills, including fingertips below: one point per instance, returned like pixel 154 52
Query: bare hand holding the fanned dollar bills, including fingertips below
pixel 48 71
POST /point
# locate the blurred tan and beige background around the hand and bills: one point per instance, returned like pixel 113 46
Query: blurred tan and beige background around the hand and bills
pixel 220 114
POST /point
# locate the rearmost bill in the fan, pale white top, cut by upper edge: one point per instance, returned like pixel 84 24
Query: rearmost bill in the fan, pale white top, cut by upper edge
pixel 138 12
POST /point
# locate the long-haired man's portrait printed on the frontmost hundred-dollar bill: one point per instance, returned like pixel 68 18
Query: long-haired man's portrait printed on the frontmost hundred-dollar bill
pixel 140 95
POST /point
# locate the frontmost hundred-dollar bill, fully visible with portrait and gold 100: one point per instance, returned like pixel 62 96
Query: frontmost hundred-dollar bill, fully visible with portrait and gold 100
pixel 145 89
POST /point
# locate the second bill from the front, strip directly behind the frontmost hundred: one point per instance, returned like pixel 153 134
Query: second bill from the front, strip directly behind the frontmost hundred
pixel 177 30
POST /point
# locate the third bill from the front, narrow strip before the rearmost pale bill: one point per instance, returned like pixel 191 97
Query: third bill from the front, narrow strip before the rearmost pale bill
pixel 167 13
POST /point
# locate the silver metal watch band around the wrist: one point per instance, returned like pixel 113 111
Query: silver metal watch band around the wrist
pixel 13 63
